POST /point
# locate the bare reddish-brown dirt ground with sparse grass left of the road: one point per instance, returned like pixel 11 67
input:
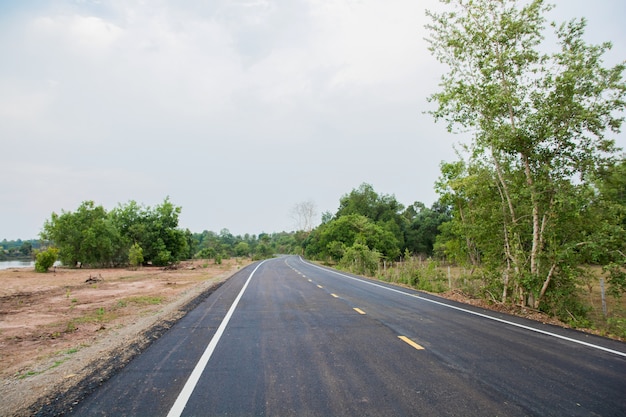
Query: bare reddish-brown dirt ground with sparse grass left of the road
pixel 64 332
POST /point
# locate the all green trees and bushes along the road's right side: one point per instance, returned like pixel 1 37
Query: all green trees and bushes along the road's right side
pixel 537 197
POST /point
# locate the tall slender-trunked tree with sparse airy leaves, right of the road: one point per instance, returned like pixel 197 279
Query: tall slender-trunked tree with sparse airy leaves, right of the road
pixel 540 122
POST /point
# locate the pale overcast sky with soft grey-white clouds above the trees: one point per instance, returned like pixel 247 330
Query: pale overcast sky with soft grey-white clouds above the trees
pixel 235 109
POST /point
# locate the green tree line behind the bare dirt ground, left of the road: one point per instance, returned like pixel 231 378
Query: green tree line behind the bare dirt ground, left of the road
pixel 132 234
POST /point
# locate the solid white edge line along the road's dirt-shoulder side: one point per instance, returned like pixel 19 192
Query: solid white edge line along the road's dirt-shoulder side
pixel 190 385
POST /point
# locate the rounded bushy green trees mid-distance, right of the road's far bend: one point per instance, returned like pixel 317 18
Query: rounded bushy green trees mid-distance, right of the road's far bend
pixel 369 227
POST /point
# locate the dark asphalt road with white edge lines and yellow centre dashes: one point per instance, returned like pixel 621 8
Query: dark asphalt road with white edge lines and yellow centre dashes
pixel 288 338
